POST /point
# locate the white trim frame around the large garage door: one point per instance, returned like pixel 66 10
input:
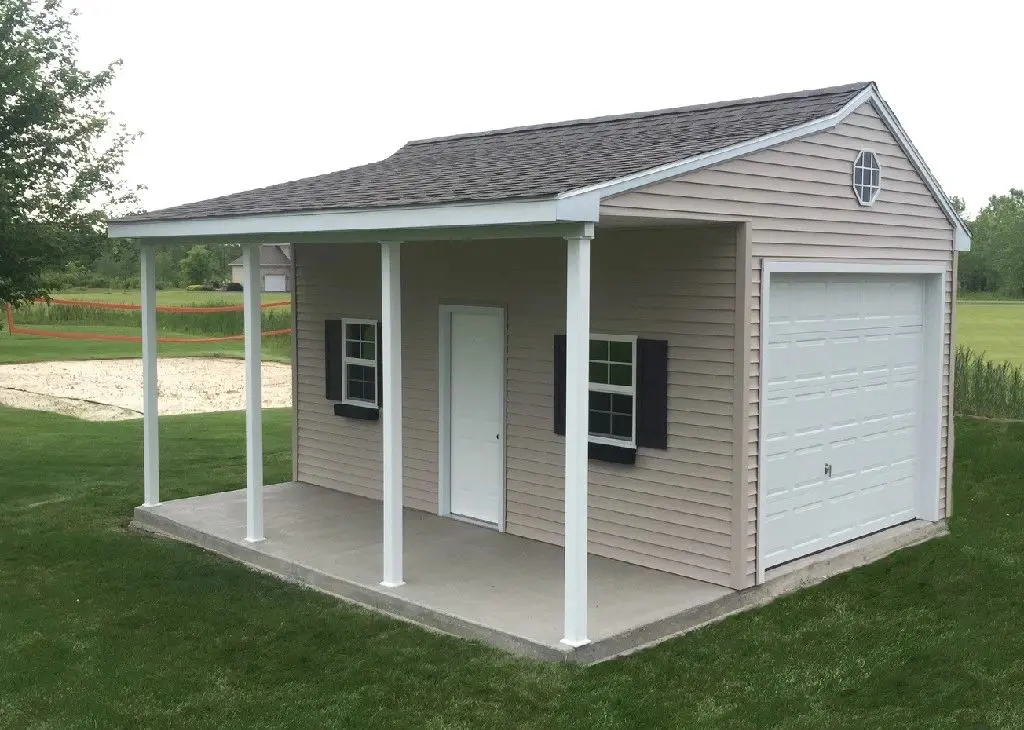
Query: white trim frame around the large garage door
pixel 934 276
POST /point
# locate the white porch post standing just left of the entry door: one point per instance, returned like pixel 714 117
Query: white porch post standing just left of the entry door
pixel 392 410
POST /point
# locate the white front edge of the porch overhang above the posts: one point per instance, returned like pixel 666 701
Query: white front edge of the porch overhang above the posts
pixel 473 221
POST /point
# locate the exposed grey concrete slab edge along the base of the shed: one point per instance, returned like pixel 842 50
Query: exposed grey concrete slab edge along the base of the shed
pixel 801 574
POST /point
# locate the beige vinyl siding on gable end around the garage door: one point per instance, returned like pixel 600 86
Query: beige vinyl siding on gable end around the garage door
pixel 800 205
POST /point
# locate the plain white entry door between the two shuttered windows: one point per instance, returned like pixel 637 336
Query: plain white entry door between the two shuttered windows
pixel 478 391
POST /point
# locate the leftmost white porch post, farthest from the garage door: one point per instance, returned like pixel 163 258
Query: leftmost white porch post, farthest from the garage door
pixel 151 418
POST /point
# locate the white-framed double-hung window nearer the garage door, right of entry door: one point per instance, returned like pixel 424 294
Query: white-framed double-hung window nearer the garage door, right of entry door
pixel 613 391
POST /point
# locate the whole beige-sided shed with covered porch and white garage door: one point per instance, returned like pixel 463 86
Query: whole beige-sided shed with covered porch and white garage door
pixel 578 387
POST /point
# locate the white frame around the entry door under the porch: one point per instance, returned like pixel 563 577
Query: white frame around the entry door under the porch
pixel 445 409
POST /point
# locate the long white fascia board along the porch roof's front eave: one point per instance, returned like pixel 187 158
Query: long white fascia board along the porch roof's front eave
pixel 581 209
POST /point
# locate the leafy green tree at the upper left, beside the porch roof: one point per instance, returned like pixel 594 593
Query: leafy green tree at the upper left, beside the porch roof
pixel 61 154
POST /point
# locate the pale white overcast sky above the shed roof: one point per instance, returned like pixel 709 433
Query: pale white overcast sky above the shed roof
pixel 235 95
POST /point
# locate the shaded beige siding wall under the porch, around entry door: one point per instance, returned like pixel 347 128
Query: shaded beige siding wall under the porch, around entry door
pixel 673 509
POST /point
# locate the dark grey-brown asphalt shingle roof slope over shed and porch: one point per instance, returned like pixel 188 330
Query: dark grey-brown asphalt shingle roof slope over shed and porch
pixel 535 162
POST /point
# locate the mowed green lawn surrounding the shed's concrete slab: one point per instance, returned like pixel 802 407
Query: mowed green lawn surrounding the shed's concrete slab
pixel 105 628
